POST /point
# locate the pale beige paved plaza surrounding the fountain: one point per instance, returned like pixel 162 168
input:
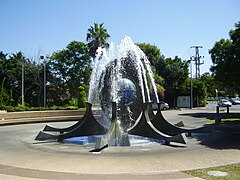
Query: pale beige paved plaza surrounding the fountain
pixel 21 157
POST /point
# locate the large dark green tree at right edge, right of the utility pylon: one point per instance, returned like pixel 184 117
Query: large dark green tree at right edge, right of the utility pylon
pixel 225 56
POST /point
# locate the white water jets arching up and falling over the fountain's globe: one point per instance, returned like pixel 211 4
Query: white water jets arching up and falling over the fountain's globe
pixel 126 61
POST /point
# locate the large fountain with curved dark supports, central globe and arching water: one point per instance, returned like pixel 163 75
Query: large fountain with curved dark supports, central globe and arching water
pixel 122 85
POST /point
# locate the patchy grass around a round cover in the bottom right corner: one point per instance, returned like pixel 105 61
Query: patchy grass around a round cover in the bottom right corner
pixel 233 171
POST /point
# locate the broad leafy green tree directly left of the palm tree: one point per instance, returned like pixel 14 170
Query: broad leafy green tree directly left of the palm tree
pixel 70 69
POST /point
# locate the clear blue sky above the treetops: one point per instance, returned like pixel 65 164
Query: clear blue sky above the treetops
pixel 45 26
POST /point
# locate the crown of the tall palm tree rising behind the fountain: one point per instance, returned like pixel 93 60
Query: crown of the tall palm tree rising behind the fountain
pixel 97 37
